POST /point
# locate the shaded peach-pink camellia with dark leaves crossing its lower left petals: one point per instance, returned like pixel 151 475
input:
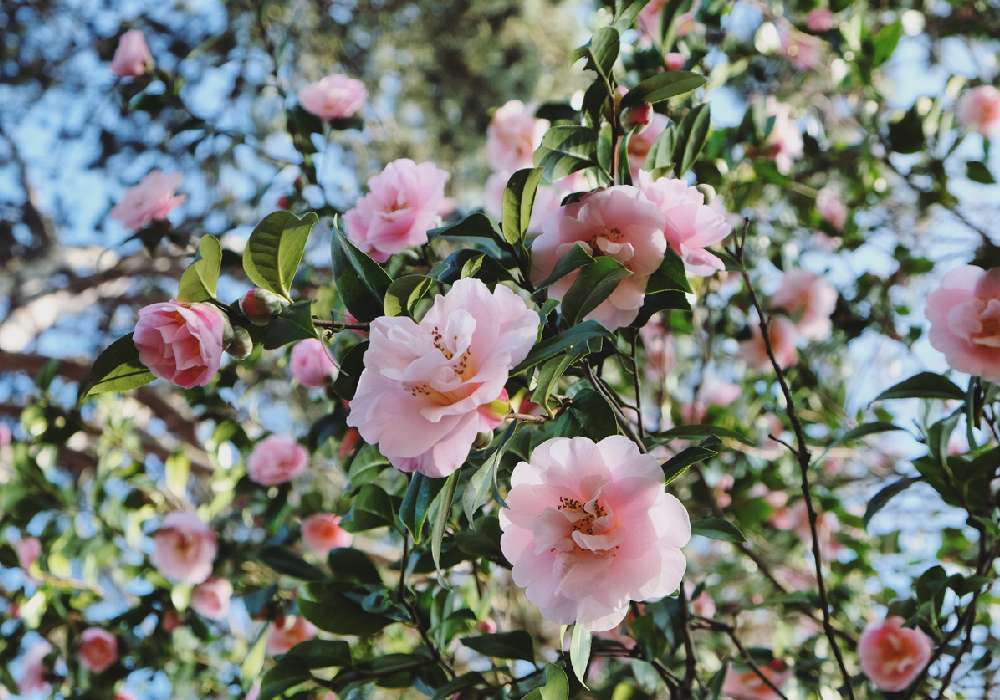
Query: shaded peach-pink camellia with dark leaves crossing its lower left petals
pixel 617 222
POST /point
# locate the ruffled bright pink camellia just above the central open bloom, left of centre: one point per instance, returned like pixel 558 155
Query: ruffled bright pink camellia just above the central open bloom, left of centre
pixel 403 203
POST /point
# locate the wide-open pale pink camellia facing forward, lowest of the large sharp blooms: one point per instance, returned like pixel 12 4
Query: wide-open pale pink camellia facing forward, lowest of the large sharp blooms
pixel 581 512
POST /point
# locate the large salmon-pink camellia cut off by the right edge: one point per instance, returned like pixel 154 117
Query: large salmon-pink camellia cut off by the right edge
pixel 964 312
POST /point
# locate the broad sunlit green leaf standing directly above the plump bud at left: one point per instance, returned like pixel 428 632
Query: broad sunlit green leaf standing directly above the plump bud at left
pixel 275 248
